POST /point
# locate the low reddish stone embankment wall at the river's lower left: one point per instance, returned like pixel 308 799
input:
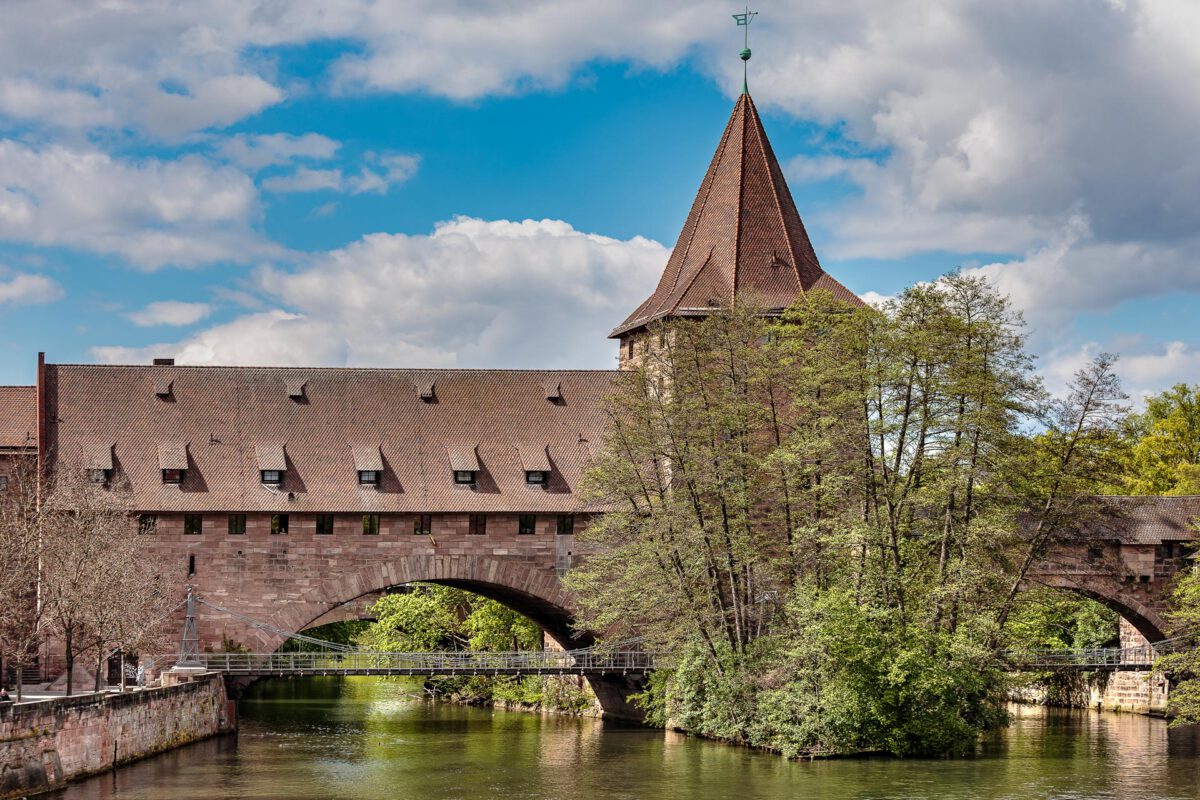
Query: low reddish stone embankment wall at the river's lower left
pixel 44 745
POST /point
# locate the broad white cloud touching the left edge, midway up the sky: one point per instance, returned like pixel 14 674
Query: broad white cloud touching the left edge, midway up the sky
pixel 151 213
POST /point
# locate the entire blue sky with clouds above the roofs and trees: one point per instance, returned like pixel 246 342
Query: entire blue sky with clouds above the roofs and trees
pixel 466 184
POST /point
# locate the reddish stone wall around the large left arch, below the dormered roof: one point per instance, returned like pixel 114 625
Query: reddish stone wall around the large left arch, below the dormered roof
pixel 290 581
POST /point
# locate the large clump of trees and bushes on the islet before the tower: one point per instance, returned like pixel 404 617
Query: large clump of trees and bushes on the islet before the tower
pixel 831 515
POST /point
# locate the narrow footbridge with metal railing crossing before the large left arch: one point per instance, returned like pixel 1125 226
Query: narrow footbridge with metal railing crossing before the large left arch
pixel 363 663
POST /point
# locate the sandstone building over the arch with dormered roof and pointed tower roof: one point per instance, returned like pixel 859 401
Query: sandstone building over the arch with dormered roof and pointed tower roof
pixel 281 494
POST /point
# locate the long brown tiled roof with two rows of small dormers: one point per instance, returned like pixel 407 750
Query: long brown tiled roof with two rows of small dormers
pixel 226 423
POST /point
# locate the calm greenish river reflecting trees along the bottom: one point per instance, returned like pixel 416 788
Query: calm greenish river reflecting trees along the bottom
pixel 373 739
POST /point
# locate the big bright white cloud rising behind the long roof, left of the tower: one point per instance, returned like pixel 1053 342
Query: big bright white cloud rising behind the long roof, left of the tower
pixel 473 293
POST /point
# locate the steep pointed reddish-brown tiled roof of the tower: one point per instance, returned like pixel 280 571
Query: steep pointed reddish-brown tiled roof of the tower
pixel 743 237
